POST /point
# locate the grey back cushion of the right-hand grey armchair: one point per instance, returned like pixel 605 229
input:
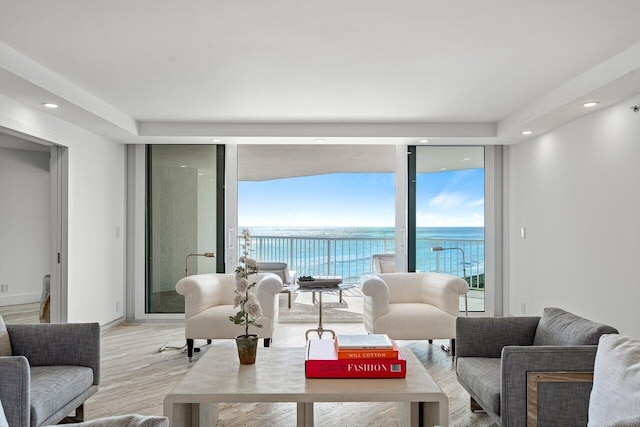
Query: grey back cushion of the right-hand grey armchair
pixel 559 327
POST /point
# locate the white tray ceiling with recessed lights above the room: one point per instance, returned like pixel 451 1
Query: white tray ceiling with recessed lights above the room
pixel 349 71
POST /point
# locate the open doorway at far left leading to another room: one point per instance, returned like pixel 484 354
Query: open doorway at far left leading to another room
pixel 33 229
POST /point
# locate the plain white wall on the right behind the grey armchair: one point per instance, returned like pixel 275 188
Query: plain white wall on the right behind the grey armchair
pixel 576 191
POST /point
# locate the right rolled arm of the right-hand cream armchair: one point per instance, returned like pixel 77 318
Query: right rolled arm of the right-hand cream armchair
pixel 443 291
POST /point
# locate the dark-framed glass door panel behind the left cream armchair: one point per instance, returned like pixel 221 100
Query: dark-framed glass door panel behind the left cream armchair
pixel 185 217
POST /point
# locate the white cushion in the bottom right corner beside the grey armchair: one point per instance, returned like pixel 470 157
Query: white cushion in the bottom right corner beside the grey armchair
pixel 615 395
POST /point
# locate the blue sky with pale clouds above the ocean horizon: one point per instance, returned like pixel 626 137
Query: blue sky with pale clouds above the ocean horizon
pixel 445 199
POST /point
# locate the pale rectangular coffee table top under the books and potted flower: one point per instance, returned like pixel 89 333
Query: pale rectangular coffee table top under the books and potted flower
pixel 279 376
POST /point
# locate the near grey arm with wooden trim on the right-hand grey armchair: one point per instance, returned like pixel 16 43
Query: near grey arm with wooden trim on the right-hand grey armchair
pixel 562 403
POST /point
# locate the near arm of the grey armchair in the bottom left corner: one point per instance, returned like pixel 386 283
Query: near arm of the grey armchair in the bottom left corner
pixel 15 389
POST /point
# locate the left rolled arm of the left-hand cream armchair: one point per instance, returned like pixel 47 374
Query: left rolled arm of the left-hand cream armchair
pixel 201 292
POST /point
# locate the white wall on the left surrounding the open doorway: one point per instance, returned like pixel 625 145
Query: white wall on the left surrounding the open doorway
pixel 96 208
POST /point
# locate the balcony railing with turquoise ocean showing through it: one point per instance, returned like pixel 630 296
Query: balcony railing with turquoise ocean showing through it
pixel 351 257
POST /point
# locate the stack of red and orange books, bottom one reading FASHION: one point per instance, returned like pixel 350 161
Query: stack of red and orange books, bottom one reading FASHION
pixel 355 356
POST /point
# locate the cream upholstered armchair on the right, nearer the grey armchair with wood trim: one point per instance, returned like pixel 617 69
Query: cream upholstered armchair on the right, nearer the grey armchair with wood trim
pixel 412 306
